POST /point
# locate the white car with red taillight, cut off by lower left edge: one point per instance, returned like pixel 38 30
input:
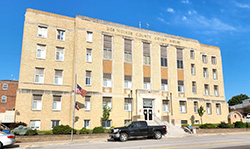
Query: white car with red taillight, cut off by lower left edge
pixel 6 139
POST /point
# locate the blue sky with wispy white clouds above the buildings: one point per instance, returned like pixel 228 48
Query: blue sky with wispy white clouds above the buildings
pixel 220 23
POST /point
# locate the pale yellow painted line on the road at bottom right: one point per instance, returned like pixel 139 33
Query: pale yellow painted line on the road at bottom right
pixel 208 144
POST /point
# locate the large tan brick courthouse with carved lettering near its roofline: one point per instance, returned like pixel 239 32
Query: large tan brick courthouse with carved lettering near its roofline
pixel 140 74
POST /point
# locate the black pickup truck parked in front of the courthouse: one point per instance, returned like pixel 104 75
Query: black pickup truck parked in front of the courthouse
pixel 137 129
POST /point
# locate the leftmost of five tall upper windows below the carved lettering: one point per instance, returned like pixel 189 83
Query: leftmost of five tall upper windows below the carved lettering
pixel 107 49
